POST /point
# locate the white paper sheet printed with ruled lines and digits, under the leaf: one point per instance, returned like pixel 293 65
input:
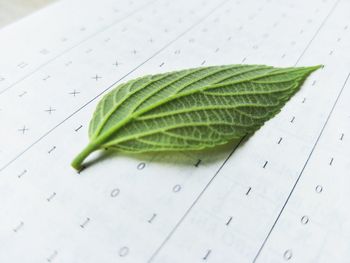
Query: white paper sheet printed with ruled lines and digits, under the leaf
pixel 281 196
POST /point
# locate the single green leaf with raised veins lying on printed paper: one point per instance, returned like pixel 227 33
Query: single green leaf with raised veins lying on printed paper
pixel 190 109
